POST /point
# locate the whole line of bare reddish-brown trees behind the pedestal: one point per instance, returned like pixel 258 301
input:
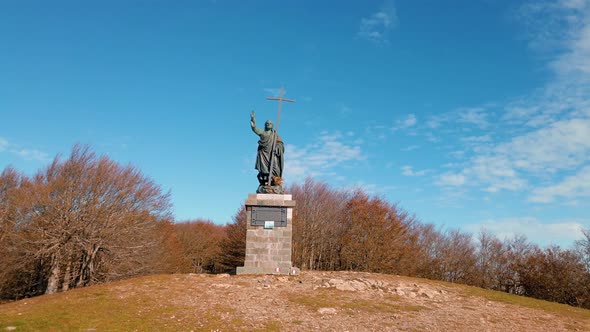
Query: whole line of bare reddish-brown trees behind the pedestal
pixel 86 219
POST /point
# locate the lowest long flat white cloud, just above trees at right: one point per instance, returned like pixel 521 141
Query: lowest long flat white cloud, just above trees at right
pixel 562 232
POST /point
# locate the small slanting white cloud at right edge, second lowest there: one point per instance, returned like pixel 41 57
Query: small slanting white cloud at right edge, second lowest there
pixel 572 187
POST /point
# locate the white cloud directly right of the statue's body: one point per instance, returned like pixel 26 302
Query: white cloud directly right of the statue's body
pixel 328 152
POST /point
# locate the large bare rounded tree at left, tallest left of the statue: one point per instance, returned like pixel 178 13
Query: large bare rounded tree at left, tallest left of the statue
pixel 90 220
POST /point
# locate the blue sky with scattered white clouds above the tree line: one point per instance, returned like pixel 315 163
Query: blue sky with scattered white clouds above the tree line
pixel 469 114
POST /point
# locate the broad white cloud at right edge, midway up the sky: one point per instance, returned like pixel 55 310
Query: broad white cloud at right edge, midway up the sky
pixel 561 146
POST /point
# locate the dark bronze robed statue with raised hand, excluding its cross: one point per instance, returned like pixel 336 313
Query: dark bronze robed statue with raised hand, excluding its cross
pixel 270 155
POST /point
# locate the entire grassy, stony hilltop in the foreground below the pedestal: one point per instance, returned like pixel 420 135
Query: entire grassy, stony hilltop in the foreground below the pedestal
pixel 326 301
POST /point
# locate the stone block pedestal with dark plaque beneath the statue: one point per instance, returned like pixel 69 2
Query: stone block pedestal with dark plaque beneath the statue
pixel 269 235
